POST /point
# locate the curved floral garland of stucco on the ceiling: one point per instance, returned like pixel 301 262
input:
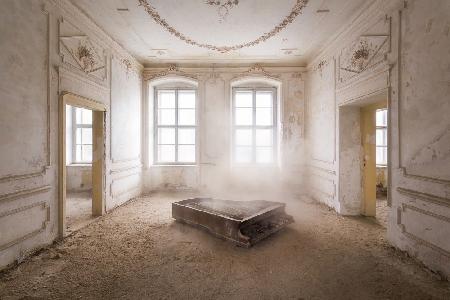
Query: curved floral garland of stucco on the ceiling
pixel 154 14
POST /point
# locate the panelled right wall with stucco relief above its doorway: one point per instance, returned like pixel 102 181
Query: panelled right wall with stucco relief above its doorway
pixel 409 42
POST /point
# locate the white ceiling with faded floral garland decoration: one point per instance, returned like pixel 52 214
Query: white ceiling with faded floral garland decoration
pixel 135 29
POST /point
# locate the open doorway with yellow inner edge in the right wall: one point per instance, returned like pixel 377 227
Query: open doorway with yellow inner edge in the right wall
pixel 363 157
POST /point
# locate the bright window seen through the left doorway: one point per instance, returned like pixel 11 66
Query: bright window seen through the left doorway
pixel 82 129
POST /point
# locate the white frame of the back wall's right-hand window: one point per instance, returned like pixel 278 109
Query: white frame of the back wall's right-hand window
pixel 254 127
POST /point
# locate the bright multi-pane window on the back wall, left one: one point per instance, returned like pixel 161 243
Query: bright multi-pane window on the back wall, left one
pixel 175 126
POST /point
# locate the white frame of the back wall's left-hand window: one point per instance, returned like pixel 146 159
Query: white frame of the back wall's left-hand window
pixel 156 162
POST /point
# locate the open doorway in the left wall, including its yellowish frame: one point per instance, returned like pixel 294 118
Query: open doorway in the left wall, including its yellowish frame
pixel 82 162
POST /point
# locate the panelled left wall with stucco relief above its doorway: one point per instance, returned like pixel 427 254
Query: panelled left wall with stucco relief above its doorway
pixel 39 40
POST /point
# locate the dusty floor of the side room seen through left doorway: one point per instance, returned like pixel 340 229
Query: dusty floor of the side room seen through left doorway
pixel 78 210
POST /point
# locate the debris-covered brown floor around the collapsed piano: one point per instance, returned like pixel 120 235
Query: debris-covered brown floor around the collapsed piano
pixel 139 252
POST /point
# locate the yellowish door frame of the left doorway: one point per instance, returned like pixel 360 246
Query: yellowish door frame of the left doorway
pixel 98 155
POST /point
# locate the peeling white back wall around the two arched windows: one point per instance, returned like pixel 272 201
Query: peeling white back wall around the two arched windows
pixel 214 171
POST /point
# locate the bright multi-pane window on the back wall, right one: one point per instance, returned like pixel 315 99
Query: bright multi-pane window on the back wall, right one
pixel 254 126
